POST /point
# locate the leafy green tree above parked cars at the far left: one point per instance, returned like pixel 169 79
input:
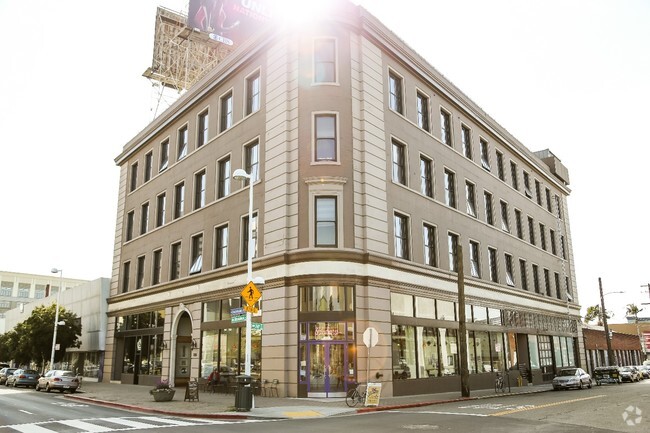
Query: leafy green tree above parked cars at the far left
pixel 31 340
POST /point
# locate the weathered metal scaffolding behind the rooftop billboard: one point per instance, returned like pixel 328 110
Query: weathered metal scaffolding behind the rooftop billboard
pixel 181 55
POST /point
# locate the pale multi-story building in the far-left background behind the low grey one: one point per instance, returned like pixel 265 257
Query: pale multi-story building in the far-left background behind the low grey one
pixel 17 289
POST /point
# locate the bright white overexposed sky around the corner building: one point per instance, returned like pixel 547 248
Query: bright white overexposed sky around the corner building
pixel 568 75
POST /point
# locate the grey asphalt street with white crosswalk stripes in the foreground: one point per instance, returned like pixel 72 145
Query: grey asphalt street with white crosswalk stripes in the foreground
pixel 607 408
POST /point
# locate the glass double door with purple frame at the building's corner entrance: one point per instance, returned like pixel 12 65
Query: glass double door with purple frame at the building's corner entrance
pixel 326 369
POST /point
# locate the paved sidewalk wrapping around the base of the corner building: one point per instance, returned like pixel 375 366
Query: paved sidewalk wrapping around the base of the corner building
pixel 137 398
